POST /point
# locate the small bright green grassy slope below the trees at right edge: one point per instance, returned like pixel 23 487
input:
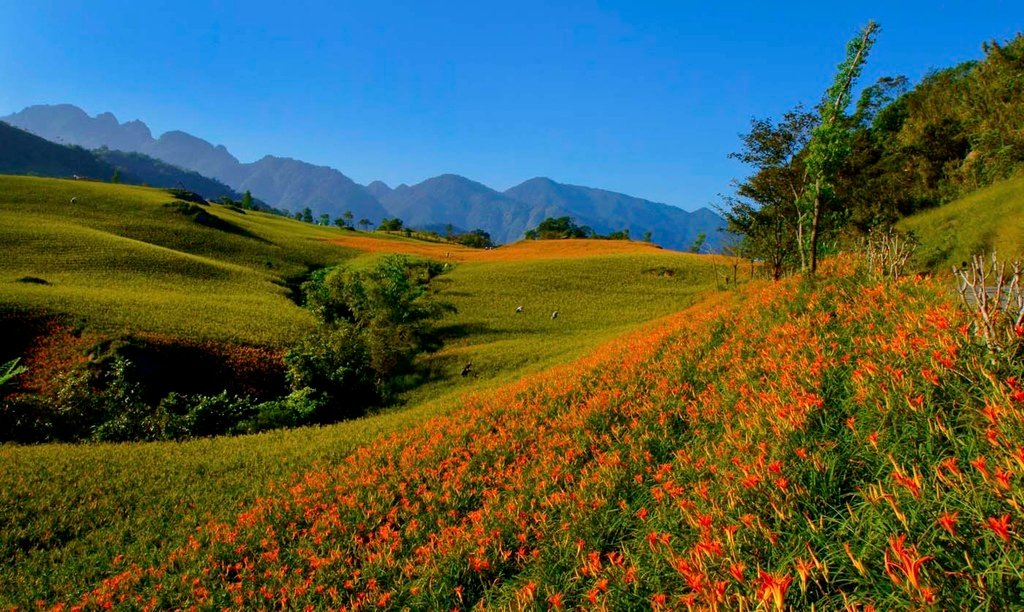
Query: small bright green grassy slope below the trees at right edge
pixel 988 220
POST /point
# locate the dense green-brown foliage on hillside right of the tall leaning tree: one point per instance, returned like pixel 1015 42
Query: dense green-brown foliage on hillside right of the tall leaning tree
pixel 958 130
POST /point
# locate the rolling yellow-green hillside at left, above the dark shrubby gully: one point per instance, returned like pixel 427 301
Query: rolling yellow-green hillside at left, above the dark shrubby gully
pixel 135 259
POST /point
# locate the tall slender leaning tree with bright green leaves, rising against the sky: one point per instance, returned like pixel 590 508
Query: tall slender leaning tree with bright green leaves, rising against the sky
pixel 830 144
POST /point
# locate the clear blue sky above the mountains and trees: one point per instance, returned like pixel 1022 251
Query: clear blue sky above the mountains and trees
pixel 642 98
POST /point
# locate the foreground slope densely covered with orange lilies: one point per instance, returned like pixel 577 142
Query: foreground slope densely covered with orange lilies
pixel 842 445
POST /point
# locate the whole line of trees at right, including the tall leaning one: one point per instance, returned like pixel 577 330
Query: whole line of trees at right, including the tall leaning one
pixel 846 168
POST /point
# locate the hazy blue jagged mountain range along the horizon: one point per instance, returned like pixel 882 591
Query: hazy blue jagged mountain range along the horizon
pixel 435 204
